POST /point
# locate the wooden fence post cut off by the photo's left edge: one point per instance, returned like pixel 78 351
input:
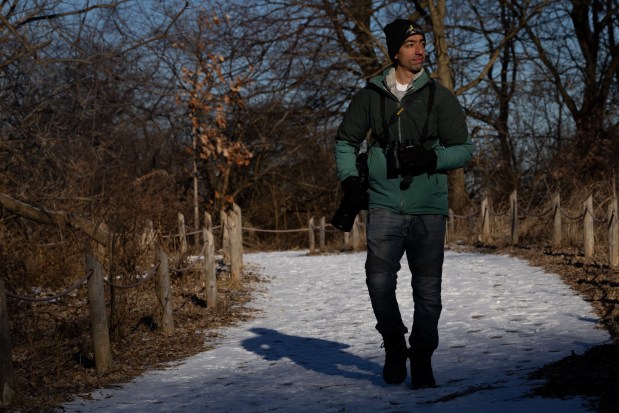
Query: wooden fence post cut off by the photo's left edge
pixel 7 378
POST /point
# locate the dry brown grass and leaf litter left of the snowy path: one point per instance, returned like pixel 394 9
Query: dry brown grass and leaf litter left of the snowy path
pixel 52 354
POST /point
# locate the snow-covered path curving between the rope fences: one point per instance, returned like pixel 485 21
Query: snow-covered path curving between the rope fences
pixel 313 346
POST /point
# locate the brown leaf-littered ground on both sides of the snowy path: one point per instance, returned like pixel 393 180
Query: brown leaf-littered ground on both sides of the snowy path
pixel 53 362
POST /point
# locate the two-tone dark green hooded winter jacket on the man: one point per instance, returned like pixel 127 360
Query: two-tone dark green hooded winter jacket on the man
pixel 447 135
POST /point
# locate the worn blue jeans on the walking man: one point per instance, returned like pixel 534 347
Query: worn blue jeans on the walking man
pixel 422 237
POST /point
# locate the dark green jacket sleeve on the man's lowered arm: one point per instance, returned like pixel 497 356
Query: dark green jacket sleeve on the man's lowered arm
pixel 351 132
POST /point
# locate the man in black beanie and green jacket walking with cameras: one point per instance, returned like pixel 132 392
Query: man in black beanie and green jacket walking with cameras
pixel 418 133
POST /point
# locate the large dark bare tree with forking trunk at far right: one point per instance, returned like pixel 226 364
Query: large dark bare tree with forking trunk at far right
pixel 579 51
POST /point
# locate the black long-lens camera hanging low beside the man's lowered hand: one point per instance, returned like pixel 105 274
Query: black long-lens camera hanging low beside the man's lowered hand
pixel 356 197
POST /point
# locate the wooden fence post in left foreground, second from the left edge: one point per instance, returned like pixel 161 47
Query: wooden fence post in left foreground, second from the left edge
pixel 98 315
